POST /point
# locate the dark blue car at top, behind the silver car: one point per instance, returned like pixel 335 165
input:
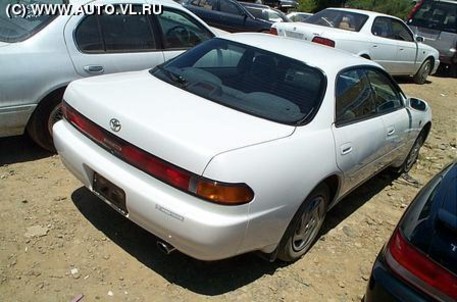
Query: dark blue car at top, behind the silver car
pixel 228 15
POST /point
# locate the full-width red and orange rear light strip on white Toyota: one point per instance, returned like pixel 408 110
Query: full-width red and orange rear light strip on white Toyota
pixel 211 190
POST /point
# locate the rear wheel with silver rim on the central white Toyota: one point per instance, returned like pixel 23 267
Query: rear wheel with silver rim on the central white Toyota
pixel 305 226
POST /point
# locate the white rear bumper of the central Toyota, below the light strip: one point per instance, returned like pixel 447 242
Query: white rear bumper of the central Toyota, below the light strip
pixel 198 228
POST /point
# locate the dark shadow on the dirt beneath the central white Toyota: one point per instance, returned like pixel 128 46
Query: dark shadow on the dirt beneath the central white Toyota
pixel 207 278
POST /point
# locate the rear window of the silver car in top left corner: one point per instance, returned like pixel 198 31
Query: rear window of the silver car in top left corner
pixel 16 28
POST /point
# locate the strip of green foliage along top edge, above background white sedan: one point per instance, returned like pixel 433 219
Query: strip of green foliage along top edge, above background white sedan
pixel 399 8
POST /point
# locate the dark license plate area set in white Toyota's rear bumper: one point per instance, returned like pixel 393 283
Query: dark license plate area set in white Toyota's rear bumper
pixel 108 191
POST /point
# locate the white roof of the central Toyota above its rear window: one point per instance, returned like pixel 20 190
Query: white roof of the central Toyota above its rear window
pixel 310 53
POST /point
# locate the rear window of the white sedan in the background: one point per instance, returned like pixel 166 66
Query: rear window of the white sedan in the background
pixel 338 19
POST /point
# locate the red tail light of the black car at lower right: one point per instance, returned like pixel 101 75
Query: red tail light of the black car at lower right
pixel 419 270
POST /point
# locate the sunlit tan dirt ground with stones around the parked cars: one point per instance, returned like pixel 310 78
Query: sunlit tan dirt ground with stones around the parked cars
pixel 60 243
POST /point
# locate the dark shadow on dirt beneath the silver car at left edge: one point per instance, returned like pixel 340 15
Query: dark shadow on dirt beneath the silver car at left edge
pixel 18 149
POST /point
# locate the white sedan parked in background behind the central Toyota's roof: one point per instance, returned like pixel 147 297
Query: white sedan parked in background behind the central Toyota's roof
pixel 382 38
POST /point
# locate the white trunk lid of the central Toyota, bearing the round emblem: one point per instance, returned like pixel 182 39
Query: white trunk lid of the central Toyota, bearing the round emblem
pixel 171 123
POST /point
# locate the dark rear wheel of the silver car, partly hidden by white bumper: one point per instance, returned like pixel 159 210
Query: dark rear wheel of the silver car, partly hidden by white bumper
pixel 48 112
